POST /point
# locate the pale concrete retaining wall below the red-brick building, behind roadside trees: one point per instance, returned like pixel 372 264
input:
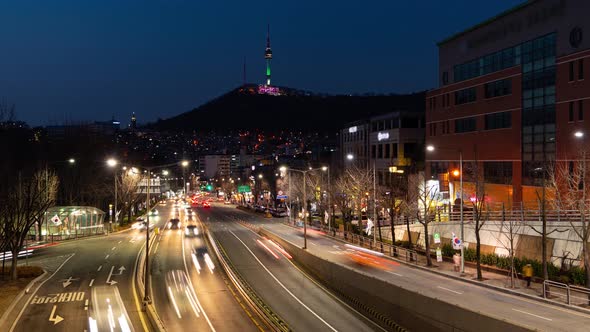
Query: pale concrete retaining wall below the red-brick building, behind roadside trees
pixel 495 238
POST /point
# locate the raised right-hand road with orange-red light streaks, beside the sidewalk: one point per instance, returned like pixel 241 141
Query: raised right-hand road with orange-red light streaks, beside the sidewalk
pixel 519 310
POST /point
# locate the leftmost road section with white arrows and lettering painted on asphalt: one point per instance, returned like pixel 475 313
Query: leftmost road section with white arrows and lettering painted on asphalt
pixel 62 302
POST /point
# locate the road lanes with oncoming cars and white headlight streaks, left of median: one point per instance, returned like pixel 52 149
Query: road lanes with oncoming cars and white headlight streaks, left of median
pixel 210 304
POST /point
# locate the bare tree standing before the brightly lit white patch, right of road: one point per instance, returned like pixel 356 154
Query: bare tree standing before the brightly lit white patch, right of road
pixel 421 205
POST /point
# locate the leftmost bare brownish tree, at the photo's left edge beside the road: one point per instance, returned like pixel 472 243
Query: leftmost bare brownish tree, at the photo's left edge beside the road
pixel 24 205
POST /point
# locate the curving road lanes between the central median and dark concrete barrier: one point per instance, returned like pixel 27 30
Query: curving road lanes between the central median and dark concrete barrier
pixel 302 303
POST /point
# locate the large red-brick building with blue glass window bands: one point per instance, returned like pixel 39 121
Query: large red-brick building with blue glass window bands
pixel 512 93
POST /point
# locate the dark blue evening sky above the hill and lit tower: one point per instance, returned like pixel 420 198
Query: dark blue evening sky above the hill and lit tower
pixel 82 60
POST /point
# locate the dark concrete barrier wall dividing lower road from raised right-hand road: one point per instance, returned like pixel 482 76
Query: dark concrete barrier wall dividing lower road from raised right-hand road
pixel 391 306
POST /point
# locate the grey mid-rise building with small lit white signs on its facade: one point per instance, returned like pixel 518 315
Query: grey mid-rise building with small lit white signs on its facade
pixel 392 139
